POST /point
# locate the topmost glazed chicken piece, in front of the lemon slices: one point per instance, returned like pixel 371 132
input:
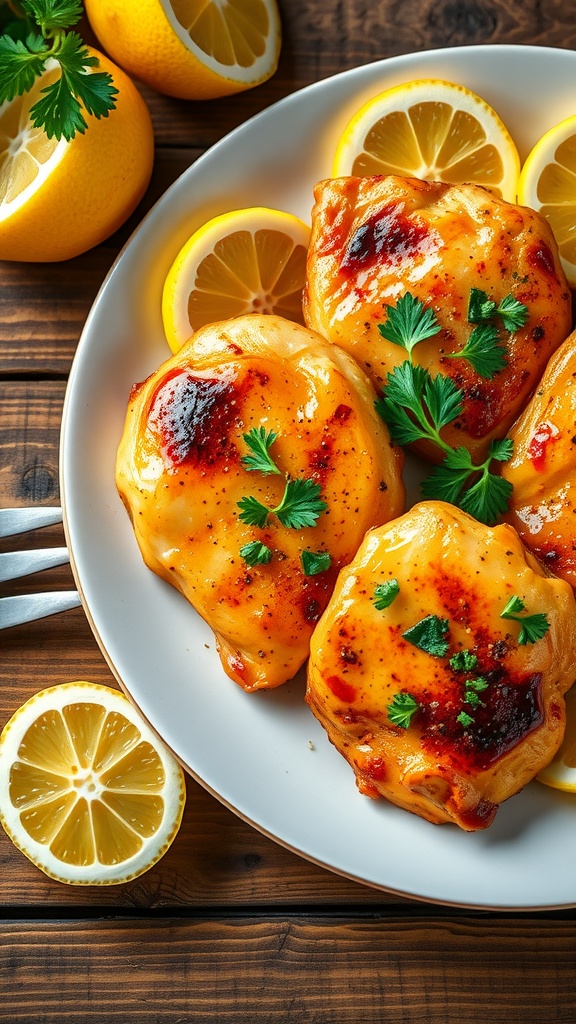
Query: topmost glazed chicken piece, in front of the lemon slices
pixel 376 239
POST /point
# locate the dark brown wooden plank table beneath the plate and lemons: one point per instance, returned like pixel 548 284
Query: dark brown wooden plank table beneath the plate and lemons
pixel 230 926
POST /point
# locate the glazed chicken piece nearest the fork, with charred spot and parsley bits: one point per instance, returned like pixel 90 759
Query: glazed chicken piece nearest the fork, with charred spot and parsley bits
pixel 252 464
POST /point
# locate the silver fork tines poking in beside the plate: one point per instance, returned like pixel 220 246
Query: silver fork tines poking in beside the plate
pixel 14 565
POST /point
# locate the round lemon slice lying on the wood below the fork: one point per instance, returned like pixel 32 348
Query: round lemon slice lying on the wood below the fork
pixel 88 792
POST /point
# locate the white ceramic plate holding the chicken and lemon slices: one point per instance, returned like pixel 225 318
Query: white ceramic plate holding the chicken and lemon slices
pixel 264 755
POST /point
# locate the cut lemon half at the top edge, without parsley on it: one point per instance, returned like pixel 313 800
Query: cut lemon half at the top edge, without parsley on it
pixel 195 50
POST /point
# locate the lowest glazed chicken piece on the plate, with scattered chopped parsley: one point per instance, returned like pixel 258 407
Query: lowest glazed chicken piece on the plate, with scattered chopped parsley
pixel 440 666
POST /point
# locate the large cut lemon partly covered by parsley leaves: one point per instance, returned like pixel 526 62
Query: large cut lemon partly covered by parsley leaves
pixel 59 199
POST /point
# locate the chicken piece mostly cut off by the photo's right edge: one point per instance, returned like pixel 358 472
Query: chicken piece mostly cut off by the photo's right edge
pixel 543 470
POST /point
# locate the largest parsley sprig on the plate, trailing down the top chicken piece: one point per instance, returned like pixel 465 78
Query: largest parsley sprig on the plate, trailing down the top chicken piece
pixel 417 406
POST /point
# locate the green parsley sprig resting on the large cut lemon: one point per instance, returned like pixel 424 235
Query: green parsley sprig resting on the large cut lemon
pixel 40 36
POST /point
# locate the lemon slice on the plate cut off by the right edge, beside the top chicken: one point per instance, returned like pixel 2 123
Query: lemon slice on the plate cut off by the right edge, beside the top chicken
pixel 548 184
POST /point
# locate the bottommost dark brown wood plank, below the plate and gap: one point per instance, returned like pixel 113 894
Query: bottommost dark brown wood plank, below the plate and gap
pixel 308 971
